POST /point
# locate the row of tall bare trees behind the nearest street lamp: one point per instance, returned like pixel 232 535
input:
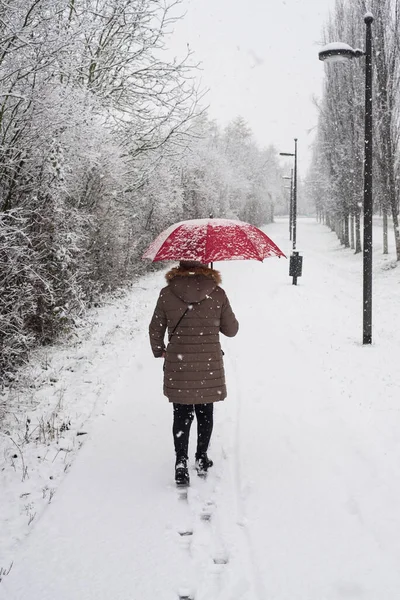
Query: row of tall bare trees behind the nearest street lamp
pixel 335 179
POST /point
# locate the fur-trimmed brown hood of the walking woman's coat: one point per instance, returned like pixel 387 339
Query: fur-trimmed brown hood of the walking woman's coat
pixel 194 284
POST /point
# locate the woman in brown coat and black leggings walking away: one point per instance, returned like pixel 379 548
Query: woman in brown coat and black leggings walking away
pixel 195 310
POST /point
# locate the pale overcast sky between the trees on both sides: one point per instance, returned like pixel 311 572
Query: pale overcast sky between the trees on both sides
pixel 260 60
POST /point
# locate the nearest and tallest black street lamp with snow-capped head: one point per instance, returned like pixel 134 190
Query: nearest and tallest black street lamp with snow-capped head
pixel 335 52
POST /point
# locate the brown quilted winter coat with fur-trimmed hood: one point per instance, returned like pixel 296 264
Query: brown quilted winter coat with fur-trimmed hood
pixel 193 369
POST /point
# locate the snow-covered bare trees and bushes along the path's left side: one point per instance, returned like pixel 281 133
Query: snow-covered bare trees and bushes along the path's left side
pixel 104 143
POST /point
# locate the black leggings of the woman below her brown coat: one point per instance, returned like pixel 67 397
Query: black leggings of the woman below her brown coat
pixel 183 417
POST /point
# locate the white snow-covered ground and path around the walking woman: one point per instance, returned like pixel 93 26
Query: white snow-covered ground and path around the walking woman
pixel 302 503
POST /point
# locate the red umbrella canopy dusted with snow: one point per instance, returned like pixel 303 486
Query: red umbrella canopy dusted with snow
pixel 210 240
